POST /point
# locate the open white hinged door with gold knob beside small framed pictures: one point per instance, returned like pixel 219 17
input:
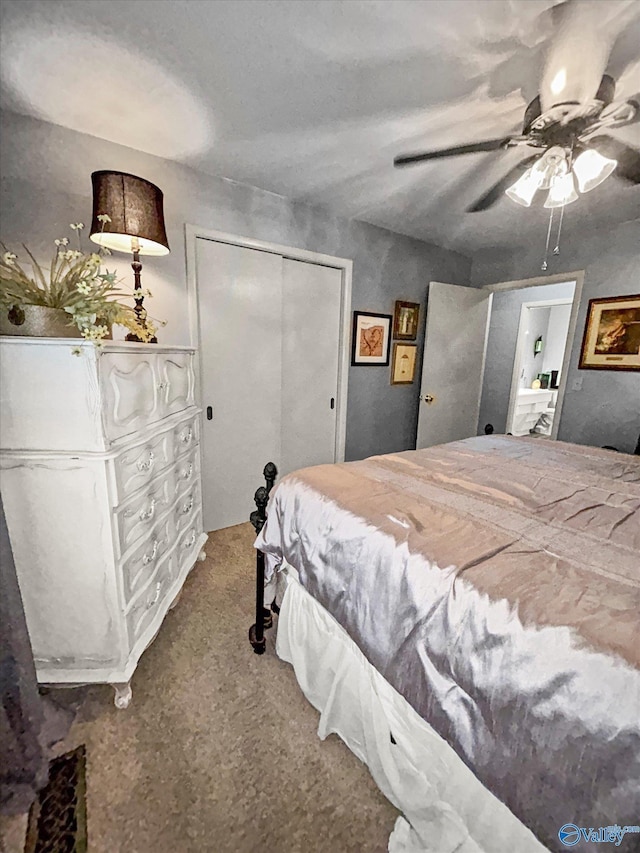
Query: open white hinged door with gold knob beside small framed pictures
pixel 453 363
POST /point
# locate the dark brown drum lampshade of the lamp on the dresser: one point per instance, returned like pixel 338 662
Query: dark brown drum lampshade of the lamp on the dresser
pixel 135 208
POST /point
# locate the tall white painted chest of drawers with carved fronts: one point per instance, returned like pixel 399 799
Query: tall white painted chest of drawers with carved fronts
pixel 100 479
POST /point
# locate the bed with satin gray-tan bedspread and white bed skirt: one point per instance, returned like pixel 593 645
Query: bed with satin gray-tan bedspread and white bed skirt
pixel 466 618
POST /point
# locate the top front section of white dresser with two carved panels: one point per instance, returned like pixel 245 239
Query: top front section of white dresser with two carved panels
pixel 140 389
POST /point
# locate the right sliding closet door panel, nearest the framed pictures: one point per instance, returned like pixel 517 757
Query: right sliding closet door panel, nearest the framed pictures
pixel 311 303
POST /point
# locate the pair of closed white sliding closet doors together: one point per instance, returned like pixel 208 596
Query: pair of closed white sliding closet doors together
pixel 270 349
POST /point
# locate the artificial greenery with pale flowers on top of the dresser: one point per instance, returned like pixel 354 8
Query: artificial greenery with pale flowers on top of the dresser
pixel 76 283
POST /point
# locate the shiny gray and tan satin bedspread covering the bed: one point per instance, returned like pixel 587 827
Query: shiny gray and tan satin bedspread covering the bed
pixel 495 583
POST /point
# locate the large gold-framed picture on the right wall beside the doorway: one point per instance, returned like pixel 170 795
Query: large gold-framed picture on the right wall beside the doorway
pixel 612 334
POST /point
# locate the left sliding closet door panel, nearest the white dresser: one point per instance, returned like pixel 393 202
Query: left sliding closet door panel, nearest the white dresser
pixel 240 317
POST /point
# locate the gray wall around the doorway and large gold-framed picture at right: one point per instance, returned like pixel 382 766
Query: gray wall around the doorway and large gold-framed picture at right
pixel 606 410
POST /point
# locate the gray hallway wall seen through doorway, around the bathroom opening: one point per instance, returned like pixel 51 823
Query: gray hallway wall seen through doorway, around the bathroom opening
pixel 501 349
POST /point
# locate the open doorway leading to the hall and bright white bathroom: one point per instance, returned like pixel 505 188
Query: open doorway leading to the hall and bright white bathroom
pixel 529 341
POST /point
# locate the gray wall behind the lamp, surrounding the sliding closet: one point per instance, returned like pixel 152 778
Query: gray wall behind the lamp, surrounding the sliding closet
pixel 46 185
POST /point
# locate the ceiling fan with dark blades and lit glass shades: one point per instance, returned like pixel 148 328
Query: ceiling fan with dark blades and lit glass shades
pixel 566 131
